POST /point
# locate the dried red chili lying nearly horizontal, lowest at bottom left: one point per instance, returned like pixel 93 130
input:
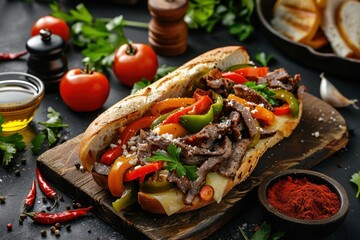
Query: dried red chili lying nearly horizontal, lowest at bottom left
pixel 51 218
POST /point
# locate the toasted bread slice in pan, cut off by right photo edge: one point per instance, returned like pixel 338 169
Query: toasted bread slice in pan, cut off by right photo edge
pixel 348 22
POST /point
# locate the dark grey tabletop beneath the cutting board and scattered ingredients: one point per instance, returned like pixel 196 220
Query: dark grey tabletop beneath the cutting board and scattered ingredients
pixel 16 19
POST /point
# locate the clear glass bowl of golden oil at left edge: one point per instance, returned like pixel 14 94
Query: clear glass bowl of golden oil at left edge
pixel 20 97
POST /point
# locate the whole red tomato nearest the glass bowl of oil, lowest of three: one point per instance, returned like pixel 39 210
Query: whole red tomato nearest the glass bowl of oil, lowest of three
pixel 83 90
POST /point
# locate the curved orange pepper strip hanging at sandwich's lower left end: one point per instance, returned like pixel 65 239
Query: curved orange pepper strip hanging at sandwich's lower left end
pixel 116 175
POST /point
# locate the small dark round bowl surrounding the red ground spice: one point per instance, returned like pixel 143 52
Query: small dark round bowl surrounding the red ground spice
pixel 303 228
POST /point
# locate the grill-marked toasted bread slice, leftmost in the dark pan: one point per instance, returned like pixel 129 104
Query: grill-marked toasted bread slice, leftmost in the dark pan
pixel 296 19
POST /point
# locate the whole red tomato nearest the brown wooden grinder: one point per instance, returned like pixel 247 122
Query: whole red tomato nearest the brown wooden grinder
pixel 133 62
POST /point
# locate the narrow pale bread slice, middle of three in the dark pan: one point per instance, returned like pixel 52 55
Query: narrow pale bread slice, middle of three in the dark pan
pixel 329 26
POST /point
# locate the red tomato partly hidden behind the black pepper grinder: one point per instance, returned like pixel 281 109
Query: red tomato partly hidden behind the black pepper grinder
pixel 55 25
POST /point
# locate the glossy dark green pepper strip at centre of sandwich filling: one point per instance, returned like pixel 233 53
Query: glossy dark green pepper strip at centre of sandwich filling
pixel 194 123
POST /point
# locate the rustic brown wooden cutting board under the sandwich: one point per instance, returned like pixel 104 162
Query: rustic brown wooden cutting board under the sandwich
pixel 321 132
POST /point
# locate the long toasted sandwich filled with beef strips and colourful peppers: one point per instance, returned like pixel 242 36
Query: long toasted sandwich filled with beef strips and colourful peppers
pixel 187 139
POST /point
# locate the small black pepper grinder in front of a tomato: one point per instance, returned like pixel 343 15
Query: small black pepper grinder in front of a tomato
pixel 47 60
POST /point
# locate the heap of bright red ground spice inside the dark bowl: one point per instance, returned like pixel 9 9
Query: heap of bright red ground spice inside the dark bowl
pixel 302 199
